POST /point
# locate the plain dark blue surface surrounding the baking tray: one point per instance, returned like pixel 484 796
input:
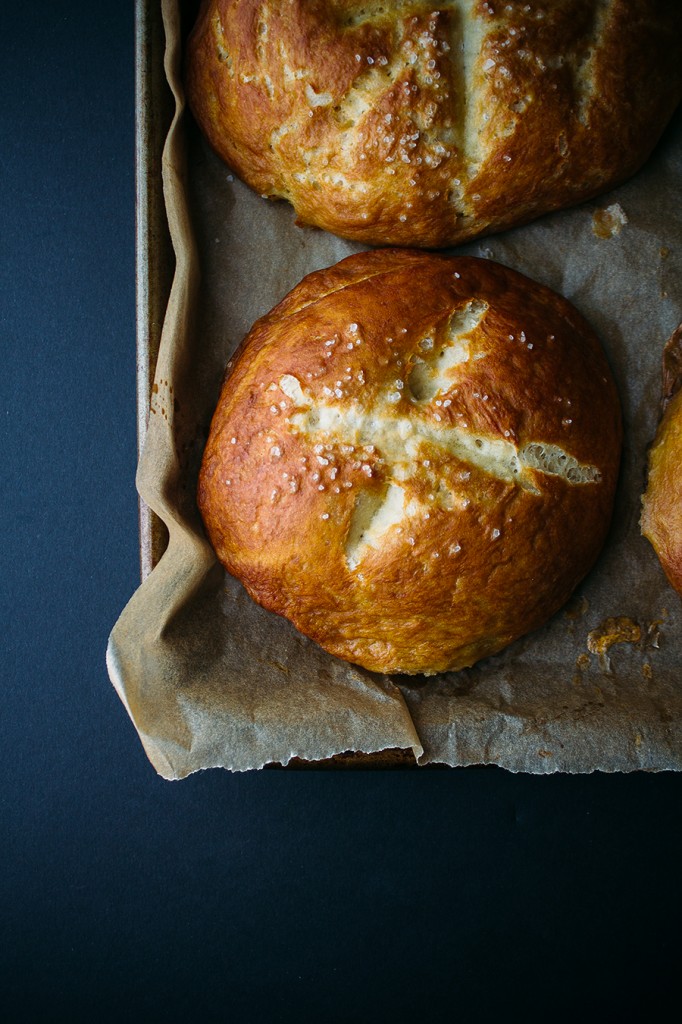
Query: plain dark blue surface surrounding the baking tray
pixel 468 895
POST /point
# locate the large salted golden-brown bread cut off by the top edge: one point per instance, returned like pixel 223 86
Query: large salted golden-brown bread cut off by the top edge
pixel 417 123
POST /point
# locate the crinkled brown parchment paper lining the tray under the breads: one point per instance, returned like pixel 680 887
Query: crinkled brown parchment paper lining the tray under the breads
pixel 210 679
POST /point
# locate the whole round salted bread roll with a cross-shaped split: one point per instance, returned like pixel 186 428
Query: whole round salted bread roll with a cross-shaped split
pixel 414 459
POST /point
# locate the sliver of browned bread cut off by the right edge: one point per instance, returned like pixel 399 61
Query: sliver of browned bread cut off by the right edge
pixel 662 503
